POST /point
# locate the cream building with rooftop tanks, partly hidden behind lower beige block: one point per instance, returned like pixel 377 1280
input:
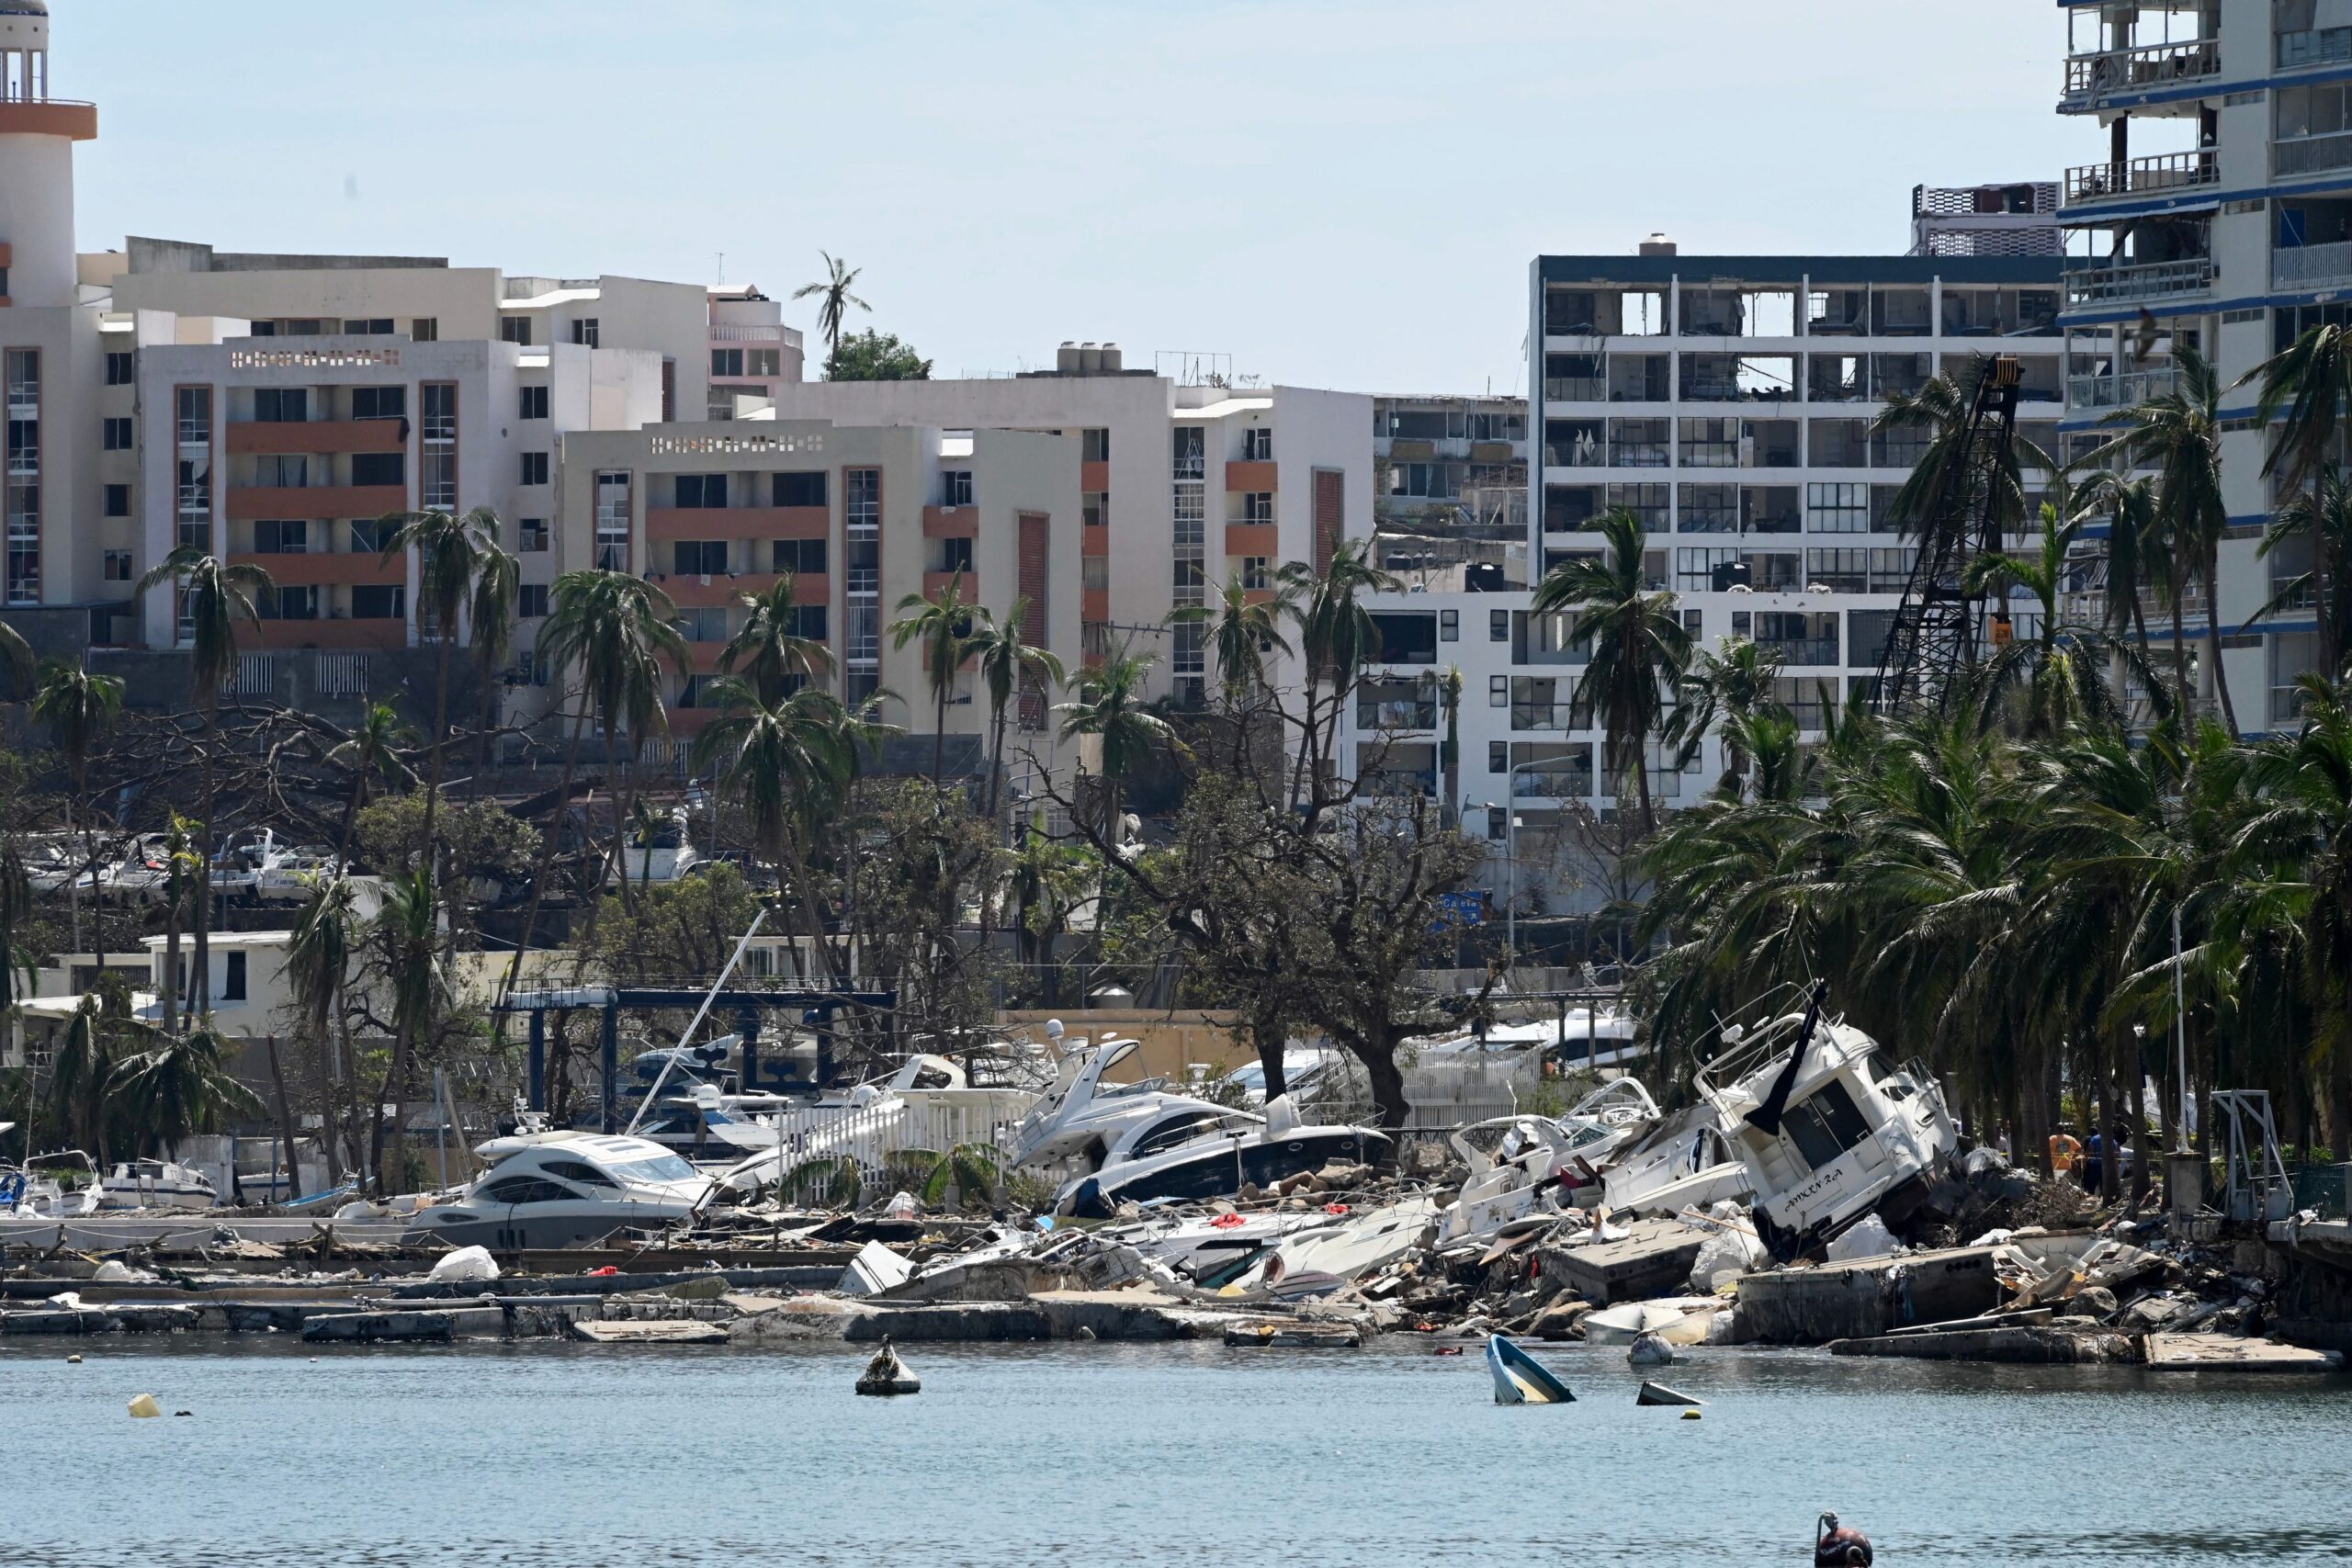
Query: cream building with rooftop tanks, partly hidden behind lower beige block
pixel 1182 483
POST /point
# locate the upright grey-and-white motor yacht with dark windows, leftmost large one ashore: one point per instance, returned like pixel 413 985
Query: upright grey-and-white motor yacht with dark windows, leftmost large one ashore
pixel 570 1191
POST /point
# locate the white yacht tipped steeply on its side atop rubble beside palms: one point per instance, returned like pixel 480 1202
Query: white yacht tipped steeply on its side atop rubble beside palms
pixel 1824 1132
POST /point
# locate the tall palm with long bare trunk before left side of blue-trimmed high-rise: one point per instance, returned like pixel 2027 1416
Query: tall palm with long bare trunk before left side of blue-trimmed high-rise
pixel 2179 436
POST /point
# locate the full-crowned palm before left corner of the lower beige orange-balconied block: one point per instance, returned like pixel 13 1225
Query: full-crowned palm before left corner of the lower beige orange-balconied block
pixel 617 631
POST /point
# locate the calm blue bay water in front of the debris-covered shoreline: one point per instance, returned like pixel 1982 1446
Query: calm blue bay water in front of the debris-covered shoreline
pixel 544 1456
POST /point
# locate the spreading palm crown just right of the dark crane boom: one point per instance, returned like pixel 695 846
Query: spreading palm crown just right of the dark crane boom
pixel 2062 674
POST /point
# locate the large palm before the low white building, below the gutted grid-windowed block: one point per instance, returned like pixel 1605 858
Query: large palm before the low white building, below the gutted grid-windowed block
pixel 1636 638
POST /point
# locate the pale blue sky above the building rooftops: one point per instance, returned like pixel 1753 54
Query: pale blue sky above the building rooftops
pixel 1332 192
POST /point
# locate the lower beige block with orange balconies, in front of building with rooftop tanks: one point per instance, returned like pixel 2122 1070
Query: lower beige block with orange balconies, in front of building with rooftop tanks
pixel 860 518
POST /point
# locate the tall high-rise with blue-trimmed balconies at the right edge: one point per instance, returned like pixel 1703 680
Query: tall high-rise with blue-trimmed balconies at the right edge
pixel 2221 217
